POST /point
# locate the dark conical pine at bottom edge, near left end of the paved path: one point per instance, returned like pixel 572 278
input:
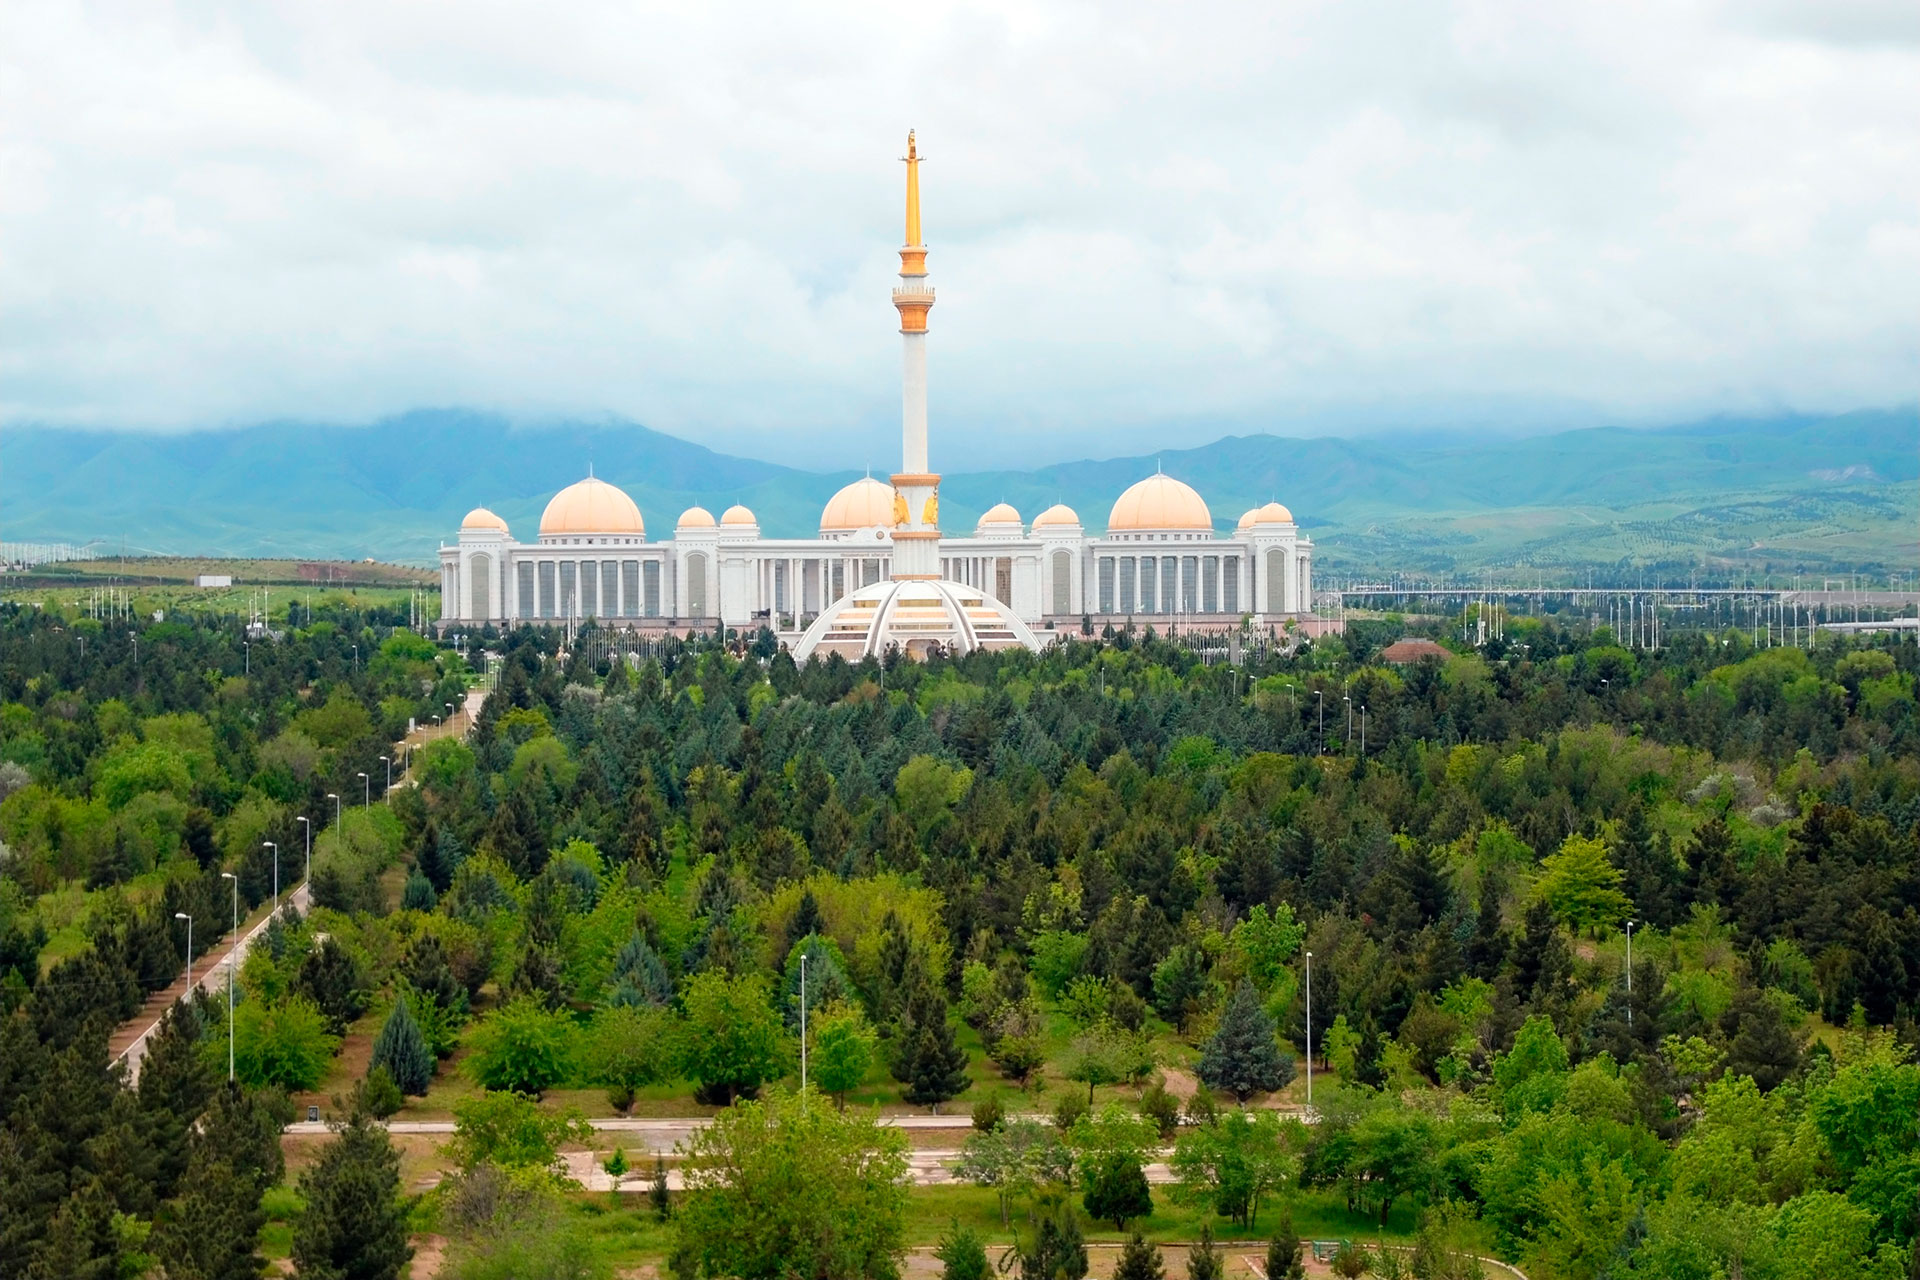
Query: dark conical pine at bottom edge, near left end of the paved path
pixel 354 1227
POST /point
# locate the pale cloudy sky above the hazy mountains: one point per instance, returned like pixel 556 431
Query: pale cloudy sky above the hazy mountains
pixel 1151 224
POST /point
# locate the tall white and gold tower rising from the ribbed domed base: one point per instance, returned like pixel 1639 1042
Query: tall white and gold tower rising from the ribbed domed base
pixel 917 523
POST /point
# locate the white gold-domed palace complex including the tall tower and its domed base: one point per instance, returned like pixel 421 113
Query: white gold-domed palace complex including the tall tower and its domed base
pixel 882 573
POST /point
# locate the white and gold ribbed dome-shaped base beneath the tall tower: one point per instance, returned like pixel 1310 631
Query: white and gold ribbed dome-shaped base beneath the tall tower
pixel 919 619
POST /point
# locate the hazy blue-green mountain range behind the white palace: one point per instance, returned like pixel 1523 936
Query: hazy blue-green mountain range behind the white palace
pixel 1792 490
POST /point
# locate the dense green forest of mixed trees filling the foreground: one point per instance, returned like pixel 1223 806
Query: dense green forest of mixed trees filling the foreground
pixel 1608 959
